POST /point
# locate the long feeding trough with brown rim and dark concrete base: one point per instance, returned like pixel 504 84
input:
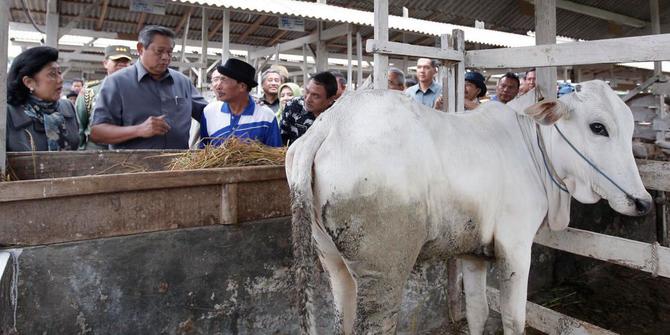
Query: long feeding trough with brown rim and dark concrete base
pixel 91 248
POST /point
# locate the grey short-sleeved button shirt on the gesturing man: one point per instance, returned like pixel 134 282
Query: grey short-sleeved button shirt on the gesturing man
pixel 130 96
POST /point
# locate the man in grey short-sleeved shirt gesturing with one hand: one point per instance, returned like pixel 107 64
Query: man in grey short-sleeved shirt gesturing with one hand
pixel 147 105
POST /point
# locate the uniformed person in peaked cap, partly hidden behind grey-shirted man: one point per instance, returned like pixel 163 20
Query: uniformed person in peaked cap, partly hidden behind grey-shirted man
pixel 117 57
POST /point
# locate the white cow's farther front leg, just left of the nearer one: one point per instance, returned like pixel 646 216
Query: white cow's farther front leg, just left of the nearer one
pixel 474 283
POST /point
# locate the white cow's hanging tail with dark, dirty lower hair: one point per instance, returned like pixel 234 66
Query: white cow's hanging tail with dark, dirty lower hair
pixel 299 165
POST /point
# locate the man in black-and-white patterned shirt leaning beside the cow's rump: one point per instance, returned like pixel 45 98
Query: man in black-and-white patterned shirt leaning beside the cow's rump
pixel 299 113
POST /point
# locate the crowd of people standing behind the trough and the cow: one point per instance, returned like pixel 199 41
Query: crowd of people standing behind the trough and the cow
pixel 148 105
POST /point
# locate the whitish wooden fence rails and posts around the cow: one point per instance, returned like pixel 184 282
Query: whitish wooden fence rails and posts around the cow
pixel 546 55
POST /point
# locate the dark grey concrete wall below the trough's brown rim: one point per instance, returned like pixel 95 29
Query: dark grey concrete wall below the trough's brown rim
pixel 231 279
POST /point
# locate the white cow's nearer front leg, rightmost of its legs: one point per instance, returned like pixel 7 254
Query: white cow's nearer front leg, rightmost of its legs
pixel 513 266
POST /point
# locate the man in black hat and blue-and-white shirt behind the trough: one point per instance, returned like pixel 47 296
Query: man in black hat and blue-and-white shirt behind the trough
pixel 235 113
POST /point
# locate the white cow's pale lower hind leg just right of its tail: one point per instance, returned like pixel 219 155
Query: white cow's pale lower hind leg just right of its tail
pixel 344 291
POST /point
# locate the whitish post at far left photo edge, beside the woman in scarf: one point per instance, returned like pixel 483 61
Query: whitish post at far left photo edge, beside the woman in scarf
pixel 4 32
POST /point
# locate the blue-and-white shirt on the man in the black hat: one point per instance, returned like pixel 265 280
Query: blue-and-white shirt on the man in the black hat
pixel 256 122
